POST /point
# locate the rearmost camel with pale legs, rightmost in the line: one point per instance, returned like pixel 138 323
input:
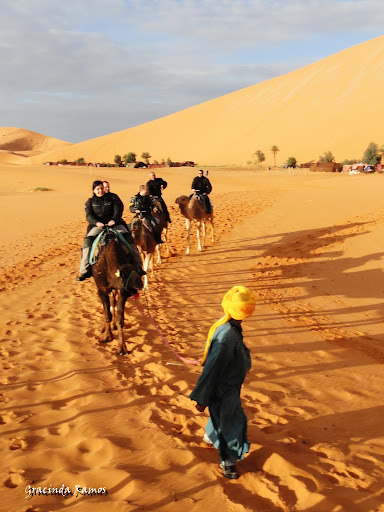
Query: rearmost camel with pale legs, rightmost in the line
pixel 193 209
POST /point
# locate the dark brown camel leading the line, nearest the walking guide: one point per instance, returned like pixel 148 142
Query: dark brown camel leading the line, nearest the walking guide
pixel 115 275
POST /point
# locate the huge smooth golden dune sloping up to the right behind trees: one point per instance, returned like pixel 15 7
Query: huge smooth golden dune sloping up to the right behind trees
pixel 334 104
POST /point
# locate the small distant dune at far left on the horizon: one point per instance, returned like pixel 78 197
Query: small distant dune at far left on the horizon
pixel 21 140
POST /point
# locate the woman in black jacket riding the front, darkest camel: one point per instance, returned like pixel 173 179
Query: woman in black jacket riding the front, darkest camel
pixel 103 210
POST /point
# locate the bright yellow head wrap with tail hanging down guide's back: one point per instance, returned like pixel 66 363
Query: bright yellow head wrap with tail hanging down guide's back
pixel 238 303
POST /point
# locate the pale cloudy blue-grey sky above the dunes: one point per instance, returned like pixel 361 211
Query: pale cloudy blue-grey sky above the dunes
pixel 80 69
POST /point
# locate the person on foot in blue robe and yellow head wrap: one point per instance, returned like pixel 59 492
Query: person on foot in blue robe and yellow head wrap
pixel 226 361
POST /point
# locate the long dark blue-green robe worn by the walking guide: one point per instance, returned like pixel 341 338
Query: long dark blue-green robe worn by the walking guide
pixel 218 388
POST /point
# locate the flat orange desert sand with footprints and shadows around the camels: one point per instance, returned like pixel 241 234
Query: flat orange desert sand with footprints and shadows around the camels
pixel 75 413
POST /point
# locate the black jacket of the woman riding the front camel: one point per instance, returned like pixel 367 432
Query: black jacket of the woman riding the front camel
pixel 103 209
